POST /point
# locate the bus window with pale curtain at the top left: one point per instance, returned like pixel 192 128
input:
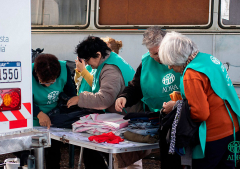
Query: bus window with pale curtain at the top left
pixel 59 13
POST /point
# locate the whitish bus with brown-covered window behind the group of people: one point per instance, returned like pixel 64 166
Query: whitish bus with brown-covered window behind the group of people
pixel 214 25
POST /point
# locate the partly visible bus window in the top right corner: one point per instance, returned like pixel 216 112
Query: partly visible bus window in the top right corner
pixel 230 13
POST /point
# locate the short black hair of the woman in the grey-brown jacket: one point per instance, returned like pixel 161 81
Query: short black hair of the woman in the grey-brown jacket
pixel 90 46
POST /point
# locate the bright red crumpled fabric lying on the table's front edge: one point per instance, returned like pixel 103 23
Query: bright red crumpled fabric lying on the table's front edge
pixel 106 137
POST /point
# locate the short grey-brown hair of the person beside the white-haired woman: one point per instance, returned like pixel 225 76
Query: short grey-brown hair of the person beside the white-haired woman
pixel 153 36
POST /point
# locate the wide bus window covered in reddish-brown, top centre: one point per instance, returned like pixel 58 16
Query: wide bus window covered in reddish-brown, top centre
pixel 142 13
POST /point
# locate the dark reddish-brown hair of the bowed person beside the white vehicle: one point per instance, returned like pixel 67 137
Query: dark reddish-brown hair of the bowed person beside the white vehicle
pixel 47 67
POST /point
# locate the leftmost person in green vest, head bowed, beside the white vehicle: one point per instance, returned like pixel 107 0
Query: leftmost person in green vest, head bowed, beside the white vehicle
pixel 50 77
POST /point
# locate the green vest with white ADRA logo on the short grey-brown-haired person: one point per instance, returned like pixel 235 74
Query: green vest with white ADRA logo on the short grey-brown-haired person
pixel 157 82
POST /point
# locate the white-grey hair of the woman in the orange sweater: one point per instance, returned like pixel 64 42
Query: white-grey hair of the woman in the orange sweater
pixel 175 49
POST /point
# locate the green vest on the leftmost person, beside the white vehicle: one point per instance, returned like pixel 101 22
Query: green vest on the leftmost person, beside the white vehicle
pixel 46 97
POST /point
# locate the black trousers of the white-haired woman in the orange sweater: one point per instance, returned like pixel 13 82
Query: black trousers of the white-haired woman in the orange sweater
pixel 217 155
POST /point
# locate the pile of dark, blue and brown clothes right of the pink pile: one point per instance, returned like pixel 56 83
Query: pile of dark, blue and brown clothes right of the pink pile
pixel 143 127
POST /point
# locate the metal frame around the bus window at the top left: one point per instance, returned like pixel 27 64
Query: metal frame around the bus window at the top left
pixel 68 26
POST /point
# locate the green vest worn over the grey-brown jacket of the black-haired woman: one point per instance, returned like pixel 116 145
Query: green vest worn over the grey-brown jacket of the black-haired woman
pixel 114 59
